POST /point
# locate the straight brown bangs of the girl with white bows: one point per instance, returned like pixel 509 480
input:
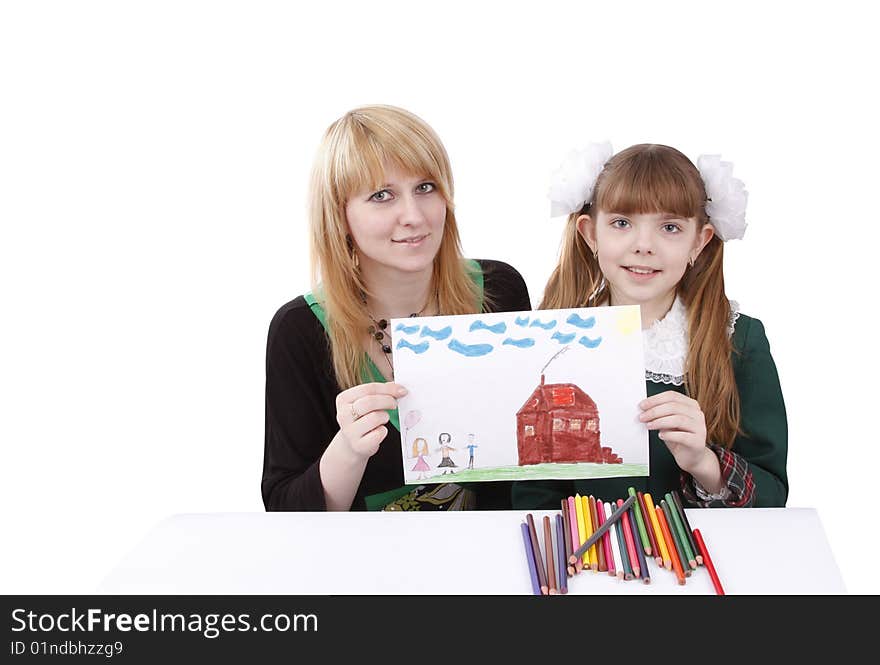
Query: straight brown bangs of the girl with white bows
pixel 649 179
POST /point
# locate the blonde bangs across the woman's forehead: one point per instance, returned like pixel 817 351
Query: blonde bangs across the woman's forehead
pixel 363 148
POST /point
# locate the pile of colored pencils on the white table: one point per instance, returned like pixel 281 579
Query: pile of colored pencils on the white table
pixel 617 537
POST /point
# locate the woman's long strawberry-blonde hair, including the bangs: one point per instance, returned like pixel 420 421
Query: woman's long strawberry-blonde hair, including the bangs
pixel 353 155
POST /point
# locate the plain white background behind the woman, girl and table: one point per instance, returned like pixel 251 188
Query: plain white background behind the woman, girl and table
pixel 153 163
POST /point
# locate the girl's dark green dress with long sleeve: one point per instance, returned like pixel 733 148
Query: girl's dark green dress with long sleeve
pixel 763 446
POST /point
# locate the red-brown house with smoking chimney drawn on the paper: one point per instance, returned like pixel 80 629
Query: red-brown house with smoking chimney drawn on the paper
pixel 559 422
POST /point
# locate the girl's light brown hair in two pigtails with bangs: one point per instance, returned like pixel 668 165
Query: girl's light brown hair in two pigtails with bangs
pixel 649 178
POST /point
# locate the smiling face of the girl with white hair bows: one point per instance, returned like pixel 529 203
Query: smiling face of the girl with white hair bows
pixel 643 256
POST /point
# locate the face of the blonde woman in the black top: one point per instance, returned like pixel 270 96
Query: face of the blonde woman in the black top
pixel 398 227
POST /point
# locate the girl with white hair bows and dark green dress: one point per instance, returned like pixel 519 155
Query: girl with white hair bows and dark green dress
pixel 646 227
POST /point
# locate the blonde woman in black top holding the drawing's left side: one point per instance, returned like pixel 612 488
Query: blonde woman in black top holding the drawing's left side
pixel 384 244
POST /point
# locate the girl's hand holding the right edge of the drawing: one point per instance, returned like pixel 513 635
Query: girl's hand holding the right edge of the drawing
pixel 681 425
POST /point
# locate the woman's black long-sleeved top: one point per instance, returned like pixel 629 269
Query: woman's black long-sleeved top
pixel 301 392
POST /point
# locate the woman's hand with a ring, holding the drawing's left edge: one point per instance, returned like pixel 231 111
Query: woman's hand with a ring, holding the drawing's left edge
pixel 361 412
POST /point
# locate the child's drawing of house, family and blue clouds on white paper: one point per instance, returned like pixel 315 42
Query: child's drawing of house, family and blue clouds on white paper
pixel 560 401
